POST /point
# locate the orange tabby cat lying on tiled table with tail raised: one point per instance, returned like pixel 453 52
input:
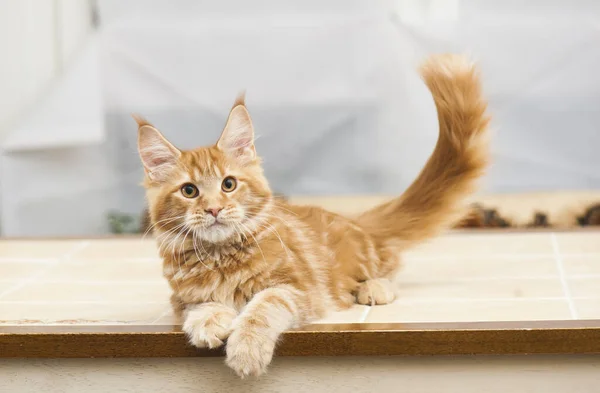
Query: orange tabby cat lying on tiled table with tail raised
pixel 245 266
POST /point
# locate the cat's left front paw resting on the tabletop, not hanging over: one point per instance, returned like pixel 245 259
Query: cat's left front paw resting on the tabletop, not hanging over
pixel 206 330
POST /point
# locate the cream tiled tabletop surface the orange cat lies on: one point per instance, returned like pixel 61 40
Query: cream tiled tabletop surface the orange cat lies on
pixel 458 277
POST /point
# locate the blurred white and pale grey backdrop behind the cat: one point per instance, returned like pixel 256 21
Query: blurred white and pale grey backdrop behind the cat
pixel 332 87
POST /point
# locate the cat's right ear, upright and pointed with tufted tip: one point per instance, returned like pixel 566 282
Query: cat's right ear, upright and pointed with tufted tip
pixel 237 138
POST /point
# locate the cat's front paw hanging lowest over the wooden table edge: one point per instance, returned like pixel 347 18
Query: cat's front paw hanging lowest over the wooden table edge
pixel 249 353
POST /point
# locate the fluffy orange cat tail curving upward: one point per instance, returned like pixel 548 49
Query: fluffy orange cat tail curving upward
pixel 436 199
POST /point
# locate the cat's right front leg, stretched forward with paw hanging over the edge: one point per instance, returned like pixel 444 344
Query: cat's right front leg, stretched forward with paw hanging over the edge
pixel 255 332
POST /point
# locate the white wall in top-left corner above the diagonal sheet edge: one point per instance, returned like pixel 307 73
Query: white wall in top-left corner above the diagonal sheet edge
pixel 37 39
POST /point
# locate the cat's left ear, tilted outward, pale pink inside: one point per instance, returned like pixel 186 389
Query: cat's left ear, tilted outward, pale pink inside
pixel 158 155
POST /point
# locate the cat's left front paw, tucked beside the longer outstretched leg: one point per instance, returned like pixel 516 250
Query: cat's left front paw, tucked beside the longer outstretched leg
pixel 208 324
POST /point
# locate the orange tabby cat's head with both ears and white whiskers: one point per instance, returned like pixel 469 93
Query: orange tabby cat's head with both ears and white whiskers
pixel 213 193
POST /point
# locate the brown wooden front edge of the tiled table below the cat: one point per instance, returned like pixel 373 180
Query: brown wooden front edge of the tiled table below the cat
pixel 377 339
